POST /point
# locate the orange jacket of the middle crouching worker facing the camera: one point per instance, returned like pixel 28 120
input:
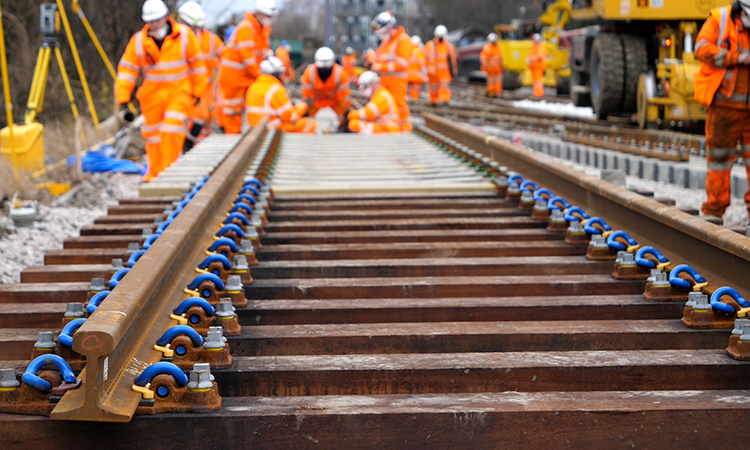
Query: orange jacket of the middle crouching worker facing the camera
pixel 334 91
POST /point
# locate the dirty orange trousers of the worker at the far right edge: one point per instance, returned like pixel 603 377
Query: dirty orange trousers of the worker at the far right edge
pixel 725 129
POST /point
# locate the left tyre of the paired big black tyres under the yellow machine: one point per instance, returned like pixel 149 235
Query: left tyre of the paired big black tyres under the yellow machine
pixel 607 74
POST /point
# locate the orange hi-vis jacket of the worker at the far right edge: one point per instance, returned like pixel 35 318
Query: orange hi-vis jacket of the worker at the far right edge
pixel 719 44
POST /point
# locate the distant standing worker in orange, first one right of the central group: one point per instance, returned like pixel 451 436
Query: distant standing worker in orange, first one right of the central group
pixel 441 66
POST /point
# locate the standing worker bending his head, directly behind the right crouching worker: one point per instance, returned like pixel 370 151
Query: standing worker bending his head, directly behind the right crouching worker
pixel 392 62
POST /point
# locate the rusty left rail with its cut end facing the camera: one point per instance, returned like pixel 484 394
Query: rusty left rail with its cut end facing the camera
pixel 118 339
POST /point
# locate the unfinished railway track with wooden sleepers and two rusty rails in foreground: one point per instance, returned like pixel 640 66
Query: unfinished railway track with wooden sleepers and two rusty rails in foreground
pixel 407 293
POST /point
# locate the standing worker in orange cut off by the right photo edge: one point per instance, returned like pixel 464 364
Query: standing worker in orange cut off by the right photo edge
pixel 723 83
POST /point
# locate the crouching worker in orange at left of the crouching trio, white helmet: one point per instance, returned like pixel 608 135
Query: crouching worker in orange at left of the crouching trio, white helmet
pixel 268 97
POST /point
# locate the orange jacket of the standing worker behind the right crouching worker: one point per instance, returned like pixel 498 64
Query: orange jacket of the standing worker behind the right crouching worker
pixel 392 59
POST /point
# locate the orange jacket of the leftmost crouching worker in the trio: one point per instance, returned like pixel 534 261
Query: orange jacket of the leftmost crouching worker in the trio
pixel 268 97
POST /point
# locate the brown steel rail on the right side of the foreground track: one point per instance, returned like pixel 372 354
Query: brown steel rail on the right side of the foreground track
pixel 721 255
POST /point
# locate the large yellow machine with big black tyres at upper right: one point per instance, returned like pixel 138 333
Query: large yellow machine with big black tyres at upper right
pixel 637 59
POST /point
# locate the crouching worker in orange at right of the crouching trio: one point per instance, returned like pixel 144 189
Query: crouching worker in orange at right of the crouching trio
pixel 380 115
